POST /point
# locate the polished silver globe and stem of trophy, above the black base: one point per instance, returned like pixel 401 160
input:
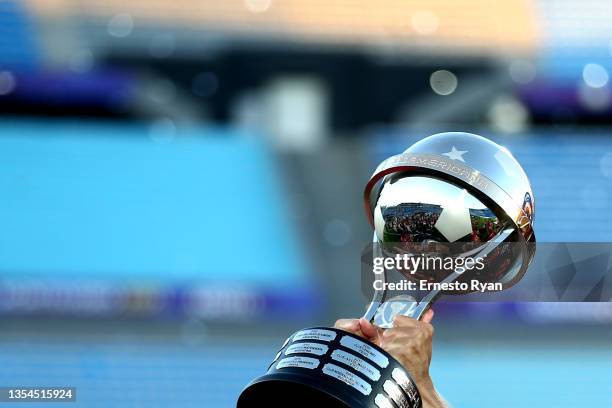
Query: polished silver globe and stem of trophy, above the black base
pixel 454 189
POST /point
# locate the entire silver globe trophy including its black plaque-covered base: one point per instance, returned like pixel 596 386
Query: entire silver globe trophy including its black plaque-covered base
pixel 436 191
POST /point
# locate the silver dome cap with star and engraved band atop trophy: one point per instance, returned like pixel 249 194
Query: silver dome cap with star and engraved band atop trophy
pixel 487 170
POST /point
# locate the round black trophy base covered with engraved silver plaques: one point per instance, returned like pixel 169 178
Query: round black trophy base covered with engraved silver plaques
pixel 328 367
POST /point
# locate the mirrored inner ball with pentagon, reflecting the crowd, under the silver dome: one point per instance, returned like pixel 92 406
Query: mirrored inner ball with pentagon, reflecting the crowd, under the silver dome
pixel 439 213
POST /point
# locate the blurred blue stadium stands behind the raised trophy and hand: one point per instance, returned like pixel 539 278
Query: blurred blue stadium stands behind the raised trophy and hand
pixel 181 184
